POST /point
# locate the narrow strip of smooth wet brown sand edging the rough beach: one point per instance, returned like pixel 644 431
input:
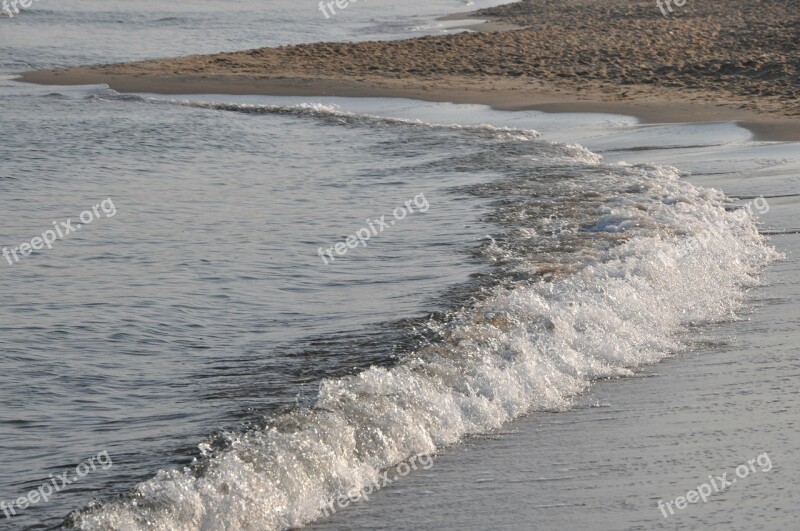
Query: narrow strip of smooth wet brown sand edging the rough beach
pixel 550 99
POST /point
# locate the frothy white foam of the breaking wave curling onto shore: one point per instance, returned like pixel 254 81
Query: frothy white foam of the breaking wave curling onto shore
pixel 525 346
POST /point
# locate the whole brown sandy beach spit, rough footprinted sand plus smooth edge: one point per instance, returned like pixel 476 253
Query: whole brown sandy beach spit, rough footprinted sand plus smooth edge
pixel 710 60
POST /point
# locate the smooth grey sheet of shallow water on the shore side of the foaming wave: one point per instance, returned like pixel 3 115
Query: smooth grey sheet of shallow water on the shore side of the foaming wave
pixel 634 442
